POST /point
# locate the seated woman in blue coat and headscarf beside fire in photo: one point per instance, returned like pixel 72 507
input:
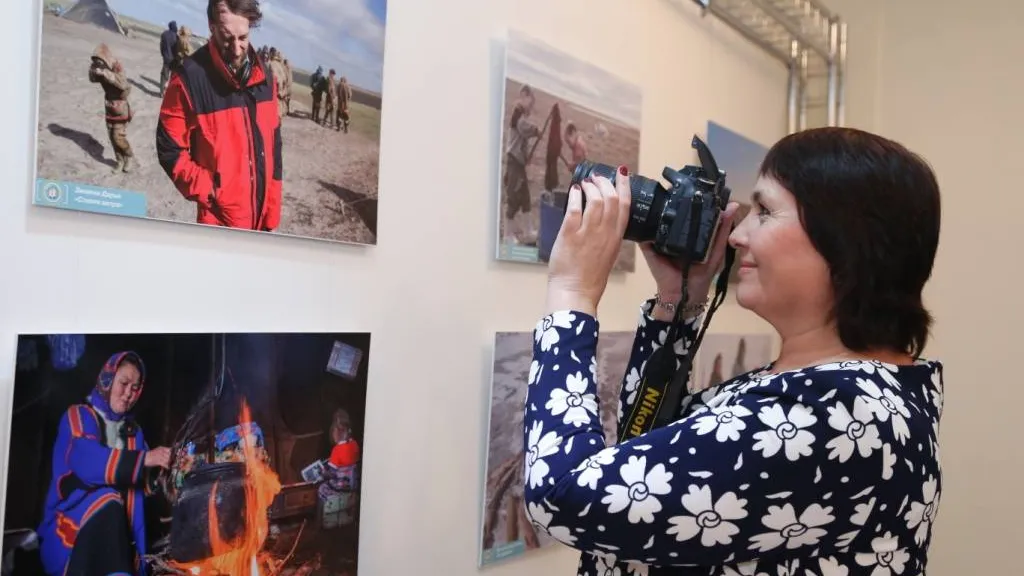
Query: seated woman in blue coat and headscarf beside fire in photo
pixel 94 521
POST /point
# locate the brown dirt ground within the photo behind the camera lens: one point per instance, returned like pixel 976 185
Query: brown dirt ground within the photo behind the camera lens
pixel 620 146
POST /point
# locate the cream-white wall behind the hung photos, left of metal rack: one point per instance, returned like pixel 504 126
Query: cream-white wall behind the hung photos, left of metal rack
pixel 430 367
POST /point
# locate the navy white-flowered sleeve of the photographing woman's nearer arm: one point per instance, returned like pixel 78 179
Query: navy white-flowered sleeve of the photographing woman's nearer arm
pixel 729 483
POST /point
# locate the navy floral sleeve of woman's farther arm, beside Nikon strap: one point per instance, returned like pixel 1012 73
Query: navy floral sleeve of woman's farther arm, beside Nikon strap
pixel 652 336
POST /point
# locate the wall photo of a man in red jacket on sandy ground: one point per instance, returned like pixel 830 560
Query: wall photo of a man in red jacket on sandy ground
pixel 140 116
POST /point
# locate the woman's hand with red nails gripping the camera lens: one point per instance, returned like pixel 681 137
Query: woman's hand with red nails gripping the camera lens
pixel 588 244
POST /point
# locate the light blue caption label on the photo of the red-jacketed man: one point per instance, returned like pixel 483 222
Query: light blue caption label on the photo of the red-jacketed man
pixel 86 198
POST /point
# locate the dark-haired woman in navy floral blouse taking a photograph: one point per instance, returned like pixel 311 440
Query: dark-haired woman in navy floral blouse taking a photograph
pixel 826 463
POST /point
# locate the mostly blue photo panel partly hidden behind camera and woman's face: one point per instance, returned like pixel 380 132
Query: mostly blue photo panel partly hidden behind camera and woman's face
pixel 741 158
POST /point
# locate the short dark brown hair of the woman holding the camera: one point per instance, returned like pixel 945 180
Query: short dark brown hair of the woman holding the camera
pixel 872 209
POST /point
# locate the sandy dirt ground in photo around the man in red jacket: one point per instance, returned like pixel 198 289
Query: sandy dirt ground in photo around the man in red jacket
pixel 330 187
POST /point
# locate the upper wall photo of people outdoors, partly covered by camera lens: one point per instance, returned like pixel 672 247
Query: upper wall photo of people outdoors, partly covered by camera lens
pixel 558 111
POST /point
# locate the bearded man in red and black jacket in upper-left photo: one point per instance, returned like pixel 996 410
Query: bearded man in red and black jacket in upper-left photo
pixel 219 138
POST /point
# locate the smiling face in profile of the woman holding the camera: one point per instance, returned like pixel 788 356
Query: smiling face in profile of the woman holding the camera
pixel 781 274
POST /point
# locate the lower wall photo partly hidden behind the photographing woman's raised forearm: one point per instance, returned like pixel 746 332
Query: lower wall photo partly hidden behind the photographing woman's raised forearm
pixel 507 531
